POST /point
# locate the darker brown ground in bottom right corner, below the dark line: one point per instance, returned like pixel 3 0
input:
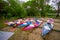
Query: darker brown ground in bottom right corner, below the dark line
pixel 54 35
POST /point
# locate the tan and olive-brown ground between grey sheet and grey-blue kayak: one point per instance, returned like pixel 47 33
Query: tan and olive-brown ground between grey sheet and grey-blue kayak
pixel 25 35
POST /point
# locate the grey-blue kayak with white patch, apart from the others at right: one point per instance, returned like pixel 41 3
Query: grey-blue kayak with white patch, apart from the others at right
pixel 46 28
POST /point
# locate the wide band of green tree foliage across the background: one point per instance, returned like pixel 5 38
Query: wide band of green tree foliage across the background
pixel 13 8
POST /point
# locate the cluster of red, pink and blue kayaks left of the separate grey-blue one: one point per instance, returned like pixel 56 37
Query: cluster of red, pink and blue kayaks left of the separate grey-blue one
pixel 27 23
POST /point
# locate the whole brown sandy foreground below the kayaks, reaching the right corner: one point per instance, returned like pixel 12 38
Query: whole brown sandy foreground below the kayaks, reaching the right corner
pixel 35 35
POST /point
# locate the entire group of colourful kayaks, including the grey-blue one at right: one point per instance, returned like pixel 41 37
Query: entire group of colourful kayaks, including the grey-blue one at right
pixel 30 23
